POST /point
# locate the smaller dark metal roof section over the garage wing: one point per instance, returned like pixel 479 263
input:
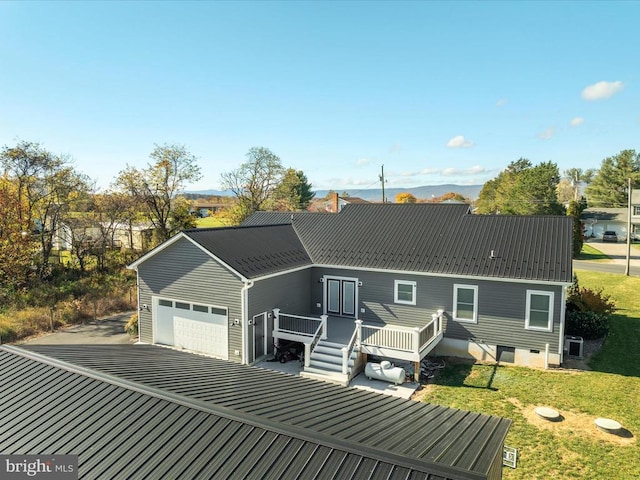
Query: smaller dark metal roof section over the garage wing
pixel 253 251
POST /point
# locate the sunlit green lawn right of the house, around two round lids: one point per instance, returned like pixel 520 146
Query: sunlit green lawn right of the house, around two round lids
pixel 573 447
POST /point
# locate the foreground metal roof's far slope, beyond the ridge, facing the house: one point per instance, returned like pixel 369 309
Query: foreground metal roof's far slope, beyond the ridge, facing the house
pixel 447 441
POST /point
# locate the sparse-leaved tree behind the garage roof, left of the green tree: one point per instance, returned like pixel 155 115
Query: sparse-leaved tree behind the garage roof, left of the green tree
pixel 253 182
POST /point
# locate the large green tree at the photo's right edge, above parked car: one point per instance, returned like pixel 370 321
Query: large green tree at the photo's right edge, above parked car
pixel 609 185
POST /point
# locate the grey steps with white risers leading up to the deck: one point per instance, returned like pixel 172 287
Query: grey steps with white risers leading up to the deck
pixel 325 364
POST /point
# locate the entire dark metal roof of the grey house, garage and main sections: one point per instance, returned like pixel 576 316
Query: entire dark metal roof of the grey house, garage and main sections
pixel 423 238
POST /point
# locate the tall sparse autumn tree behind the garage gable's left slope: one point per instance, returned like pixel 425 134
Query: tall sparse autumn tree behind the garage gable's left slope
pixel 156 187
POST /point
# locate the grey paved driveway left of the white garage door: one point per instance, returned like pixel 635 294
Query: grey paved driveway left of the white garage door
pixel 109 330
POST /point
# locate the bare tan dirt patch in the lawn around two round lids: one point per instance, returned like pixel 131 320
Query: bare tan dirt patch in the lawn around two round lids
pixel 576 424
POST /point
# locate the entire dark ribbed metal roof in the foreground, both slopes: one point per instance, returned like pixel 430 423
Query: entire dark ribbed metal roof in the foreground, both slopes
pixel 396 438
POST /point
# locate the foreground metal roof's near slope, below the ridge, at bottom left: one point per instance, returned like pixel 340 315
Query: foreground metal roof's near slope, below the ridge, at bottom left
pixel 123 430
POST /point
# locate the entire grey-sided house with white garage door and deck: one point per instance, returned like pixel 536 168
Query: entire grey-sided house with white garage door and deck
pixel 385 280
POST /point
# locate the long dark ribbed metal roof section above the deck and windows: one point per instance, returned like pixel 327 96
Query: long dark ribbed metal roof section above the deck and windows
pixel 441 238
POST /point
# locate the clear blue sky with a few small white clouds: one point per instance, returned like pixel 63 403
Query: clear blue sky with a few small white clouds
pixel 436 92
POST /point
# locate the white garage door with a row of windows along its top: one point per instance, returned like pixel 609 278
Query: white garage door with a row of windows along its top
pixel 191 326
